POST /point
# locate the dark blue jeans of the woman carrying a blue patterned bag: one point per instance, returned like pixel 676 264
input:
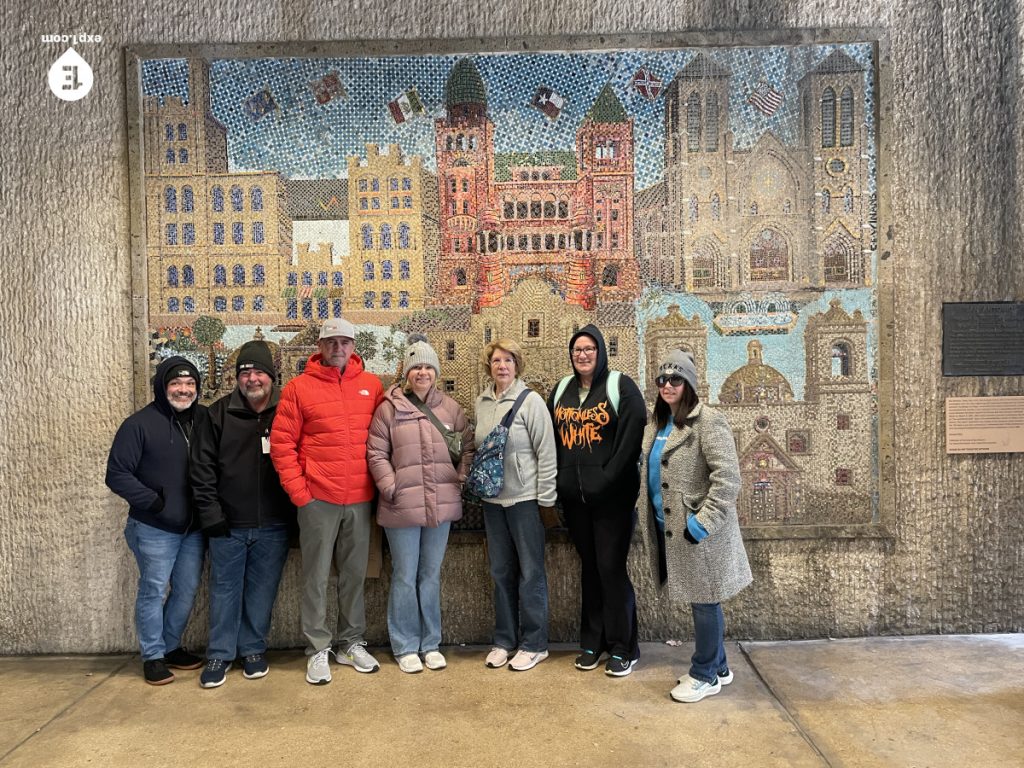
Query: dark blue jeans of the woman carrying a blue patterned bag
pixel 516 548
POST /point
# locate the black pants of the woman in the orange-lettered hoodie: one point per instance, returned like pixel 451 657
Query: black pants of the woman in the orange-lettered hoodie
pixel 609 611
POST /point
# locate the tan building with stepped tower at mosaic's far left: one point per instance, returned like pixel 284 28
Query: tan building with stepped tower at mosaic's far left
pixel 219 243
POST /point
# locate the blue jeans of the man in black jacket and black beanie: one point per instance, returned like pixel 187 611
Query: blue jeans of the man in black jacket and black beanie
pixel 245 572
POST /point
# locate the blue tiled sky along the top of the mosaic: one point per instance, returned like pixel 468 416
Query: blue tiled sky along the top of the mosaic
pixel 305 140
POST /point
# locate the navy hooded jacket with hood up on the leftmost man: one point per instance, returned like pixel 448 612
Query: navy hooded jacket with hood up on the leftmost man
pixel 148 465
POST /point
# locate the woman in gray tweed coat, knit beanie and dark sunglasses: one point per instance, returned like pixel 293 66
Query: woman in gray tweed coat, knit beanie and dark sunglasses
pixel 691 523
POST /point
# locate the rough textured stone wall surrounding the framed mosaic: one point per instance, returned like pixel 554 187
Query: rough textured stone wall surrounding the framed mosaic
pixel 955 143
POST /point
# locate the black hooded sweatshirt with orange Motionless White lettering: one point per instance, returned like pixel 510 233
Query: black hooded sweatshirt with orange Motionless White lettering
pixel 599 446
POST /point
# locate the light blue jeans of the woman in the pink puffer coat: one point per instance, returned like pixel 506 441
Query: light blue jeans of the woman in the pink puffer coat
pixel 414 606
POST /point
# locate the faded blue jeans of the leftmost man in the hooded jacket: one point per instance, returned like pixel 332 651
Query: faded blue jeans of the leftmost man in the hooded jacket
pixel 166 563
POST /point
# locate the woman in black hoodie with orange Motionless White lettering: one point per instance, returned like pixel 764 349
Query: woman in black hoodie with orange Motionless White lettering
pixel 599 444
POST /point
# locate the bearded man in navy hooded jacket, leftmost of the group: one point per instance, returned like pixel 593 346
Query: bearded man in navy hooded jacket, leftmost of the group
pixel 148 467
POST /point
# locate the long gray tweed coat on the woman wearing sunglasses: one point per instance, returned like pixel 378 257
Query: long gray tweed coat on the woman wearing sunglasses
pixel 700 476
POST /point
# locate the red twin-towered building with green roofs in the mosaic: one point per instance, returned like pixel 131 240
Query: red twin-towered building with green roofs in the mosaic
pixel 564 217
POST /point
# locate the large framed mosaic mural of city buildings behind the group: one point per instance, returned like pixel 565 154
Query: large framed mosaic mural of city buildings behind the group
pixel 779 418
